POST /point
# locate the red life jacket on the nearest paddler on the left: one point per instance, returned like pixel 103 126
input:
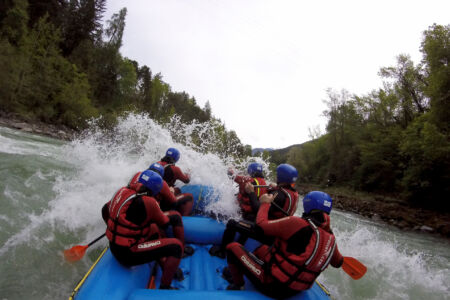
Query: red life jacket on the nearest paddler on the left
pixel 119 230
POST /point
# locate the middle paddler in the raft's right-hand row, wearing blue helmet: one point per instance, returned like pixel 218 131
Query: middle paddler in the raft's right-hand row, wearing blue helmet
pixel 284 204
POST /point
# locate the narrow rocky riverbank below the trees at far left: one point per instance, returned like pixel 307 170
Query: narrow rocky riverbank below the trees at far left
pixel 37 127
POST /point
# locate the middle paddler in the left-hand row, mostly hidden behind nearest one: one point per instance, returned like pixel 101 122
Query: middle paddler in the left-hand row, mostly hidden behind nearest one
pixel 166 198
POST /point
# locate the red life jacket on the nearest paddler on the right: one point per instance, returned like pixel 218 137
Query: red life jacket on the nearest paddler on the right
pixel 298 272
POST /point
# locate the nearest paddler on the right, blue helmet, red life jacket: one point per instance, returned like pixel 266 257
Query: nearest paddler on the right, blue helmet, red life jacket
pixel 303 248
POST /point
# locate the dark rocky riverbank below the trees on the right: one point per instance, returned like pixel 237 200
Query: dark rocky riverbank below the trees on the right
pixel 392 211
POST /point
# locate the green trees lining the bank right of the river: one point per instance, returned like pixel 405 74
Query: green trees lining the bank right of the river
pixel 394 140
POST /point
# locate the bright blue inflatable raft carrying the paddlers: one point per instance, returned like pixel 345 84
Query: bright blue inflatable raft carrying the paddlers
pixel 108 279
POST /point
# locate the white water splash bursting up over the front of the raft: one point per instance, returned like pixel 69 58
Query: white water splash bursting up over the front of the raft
pixel 105 162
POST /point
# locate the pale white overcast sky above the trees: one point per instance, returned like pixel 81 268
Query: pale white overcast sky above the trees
pixel 265 65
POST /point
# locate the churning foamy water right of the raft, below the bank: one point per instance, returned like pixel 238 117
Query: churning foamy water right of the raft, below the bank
pixel 400 265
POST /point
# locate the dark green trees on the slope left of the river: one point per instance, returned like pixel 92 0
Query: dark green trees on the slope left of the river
pixel 60 65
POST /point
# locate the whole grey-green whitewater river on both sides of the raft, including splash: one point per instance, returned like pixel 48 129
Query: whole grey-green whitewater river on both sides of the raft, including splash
pixel 51 194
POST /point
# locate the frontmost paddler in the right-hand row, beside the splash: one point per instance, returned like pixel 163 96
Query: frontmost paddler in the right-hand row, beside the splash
pixel 256 177
